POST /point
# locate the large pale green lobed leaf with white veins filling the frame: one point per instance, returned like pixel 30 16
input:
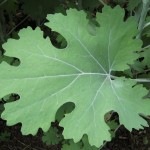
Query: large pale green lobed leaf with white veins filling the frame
pixel 81 73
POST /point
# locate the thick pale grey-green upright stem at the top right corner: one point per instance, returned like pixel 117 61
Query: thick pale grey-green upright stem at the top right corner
pixel 145 7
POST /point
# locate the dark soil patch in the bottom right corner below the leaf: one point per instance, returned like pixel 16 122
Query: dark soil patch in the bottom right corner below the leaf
pixel 124 140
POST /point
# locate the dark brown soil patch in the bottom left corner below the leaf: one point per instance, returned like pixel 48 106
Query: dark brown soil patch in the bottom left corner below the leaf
pixel 17 141
